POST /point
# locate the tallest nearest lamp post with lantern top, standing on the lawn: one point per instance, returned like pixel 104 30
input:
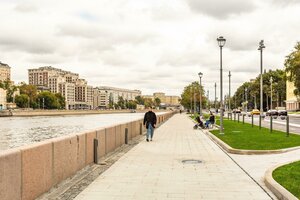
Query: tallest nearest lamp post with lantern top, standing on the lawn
pixel 221 43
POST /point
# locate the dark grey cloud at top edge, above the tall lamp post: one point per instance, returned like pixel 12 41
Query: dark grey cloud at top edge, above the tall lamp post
pixel 221 9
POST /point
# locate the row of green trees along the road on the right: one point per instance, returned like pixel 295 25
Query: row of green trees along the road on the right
pixel 247 96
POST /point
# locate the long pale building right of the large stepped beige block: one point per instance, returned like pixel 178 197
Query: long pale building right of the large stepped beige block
pixel 103 95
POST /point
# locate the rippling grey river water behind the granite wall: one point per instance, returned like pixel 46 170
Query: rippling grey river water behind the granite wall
pixel 19 131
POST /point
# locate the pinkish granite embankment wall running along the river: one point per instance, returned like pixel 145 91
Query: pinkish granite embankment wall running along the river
pixel 29 171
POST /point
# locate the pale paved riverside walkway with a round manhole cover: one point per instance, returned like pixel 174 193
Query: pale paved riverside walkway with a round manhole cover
pixel 153 170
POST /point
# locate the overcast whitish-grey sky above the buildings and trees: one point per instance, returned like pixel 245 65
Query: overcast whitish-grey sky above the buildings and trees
pixel 153 46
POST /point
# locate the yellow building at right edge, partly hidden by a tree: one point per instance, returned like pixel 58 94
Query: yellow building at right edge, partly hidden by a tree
pixel 292 102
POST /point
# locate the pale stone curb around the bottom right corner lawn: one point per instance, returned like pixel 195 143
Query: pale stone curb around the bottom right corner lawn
pixel 275 187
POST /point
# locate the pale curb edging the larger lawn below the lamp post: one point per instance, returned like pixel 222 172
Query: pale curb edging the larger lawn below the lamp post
pixel 229 149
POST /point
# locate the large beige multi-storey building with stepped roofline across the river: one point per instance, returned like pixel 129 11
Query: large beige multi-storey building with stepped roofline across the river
pixel 78 95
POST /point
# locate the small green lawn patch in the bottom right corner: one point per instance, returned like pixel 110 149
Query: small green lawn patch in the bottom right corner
pixel 289 177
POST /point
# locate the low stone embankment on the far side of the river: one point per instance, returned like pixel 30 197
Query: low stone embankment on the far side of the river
pixel 28 113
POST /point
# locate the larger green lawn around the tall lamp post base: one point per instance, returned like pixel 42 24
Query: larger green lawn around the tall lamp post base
pixel 243 136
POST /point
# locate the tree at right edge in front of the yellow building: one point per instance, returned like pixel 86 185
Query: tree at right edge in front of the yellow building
pixel 292 67
